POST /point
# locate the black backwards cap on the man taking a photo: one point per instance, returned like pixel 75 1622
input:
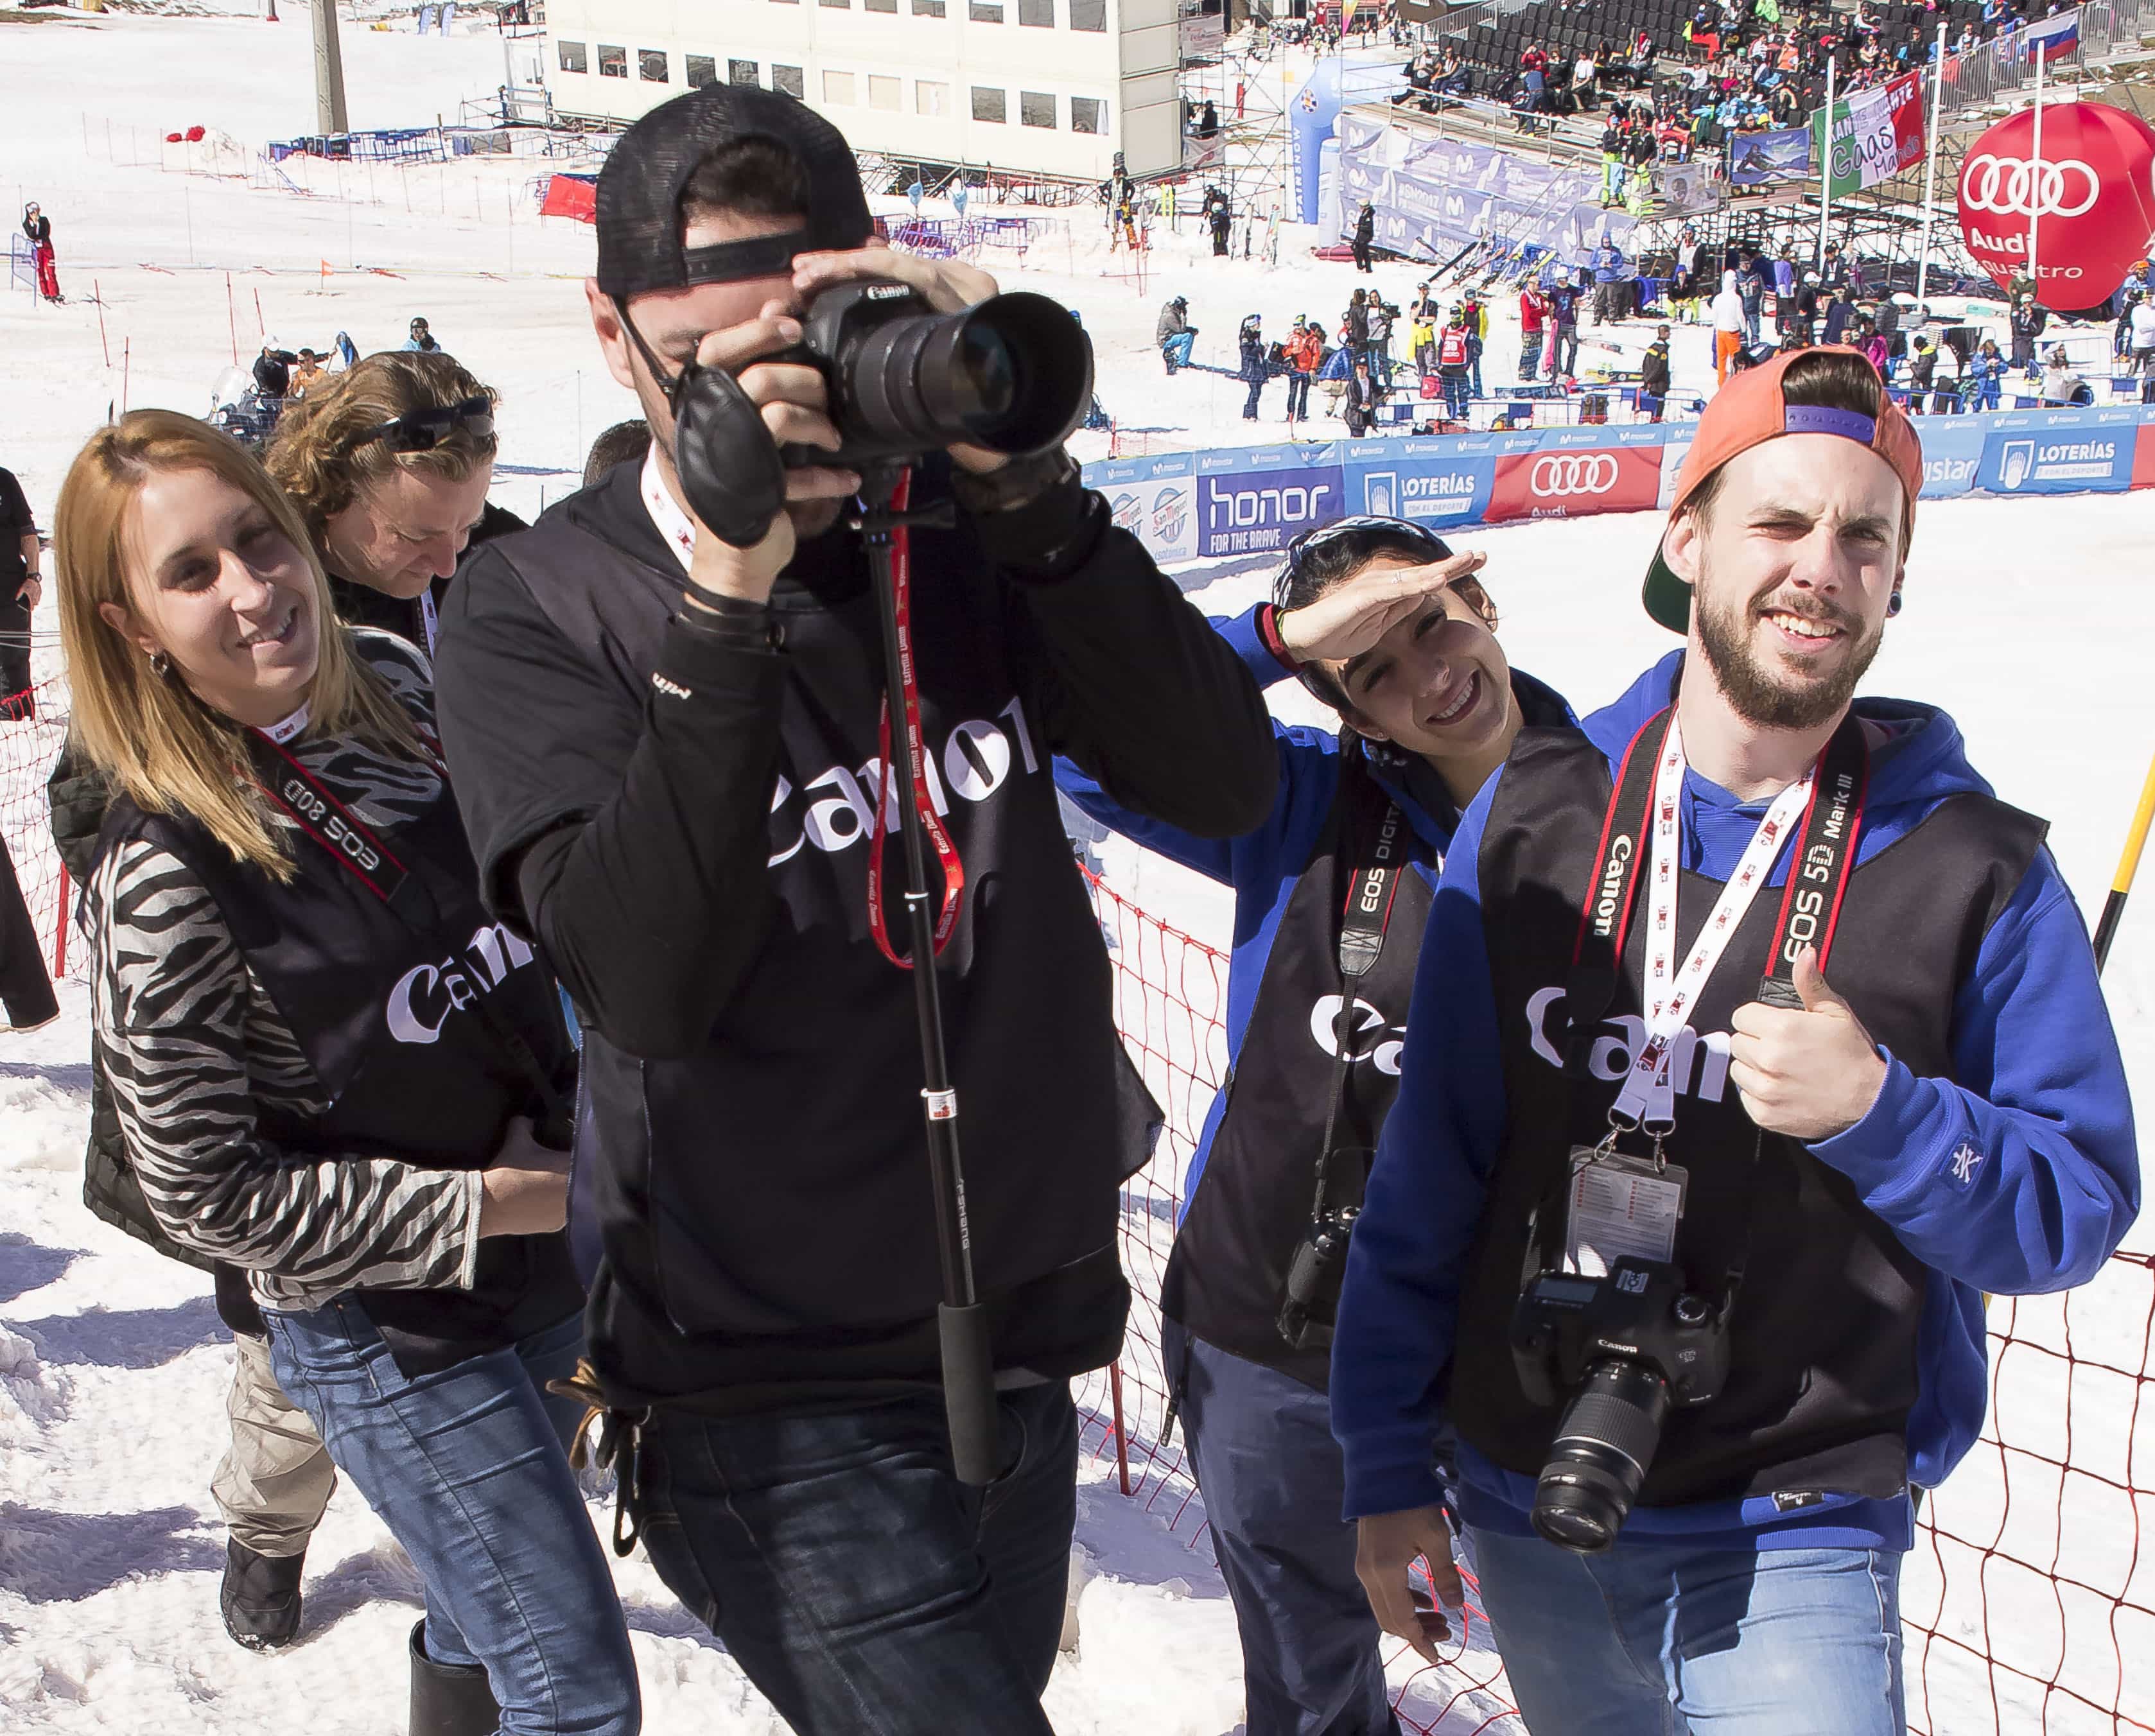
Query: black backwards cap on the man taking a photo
pixel 648 171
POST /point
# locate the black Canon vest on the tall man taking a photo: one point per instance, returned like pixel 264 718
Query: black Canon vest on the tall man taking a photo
pixel 773 1188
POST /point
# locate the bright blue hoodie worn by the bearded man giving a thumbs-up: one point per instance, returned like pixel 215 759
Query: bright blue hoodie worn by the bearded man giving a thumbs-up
pixel 2040 1089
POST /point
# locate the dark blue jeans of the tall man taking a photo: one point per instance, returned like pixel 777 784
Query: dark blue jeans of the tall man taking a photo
pixel 854 1578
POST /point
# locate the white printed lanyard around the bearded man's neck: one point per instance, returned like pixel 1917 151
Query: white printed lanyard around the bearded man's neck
pixel 1671 992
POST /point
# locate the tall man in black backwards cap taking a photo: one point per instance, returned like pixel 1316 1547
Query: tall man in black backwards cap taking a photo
pixel 671 764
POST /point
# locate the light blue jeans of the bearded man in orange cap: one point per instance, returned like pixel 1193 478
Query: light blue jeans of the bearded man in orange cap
pixel 1667 1640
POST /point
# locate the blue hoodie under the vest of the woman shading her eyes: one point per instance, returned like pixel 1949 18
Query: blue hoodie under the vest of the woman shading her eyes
pixel 1266 865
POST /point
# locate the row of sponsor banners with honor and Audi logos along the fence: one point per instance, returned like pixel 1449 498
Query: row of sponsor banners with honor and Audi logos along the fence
pixel 1251 501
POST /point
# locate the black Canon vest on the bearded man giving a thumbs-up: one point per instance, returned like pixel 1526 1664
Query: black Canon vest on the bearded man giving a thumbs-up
pixel 1826 1319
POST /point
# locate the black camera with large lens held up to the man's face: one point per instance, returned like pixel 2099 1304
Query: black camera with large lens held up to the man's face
pixel 1012 376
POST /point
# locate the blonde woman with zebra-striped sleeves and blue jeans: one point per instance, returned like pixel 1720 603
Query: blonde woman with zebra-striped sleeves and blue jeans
pixel 326 1059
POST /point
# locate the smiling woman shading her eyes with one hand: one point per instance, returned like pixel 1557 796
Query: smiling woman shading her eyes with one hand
pixel 1395 634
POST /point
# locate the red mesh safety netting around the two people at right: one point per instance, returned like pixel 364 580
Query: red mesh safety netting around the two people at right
pixel 2029 1601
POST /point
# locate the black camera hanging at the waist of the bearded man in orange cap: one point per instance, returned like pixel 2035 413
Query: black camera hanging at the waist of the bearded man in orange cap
pixel 1624 1349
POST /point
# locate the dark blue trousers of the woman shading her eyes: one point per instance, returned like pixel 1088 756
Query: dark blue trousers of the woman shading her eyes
pixel 1275 1485
